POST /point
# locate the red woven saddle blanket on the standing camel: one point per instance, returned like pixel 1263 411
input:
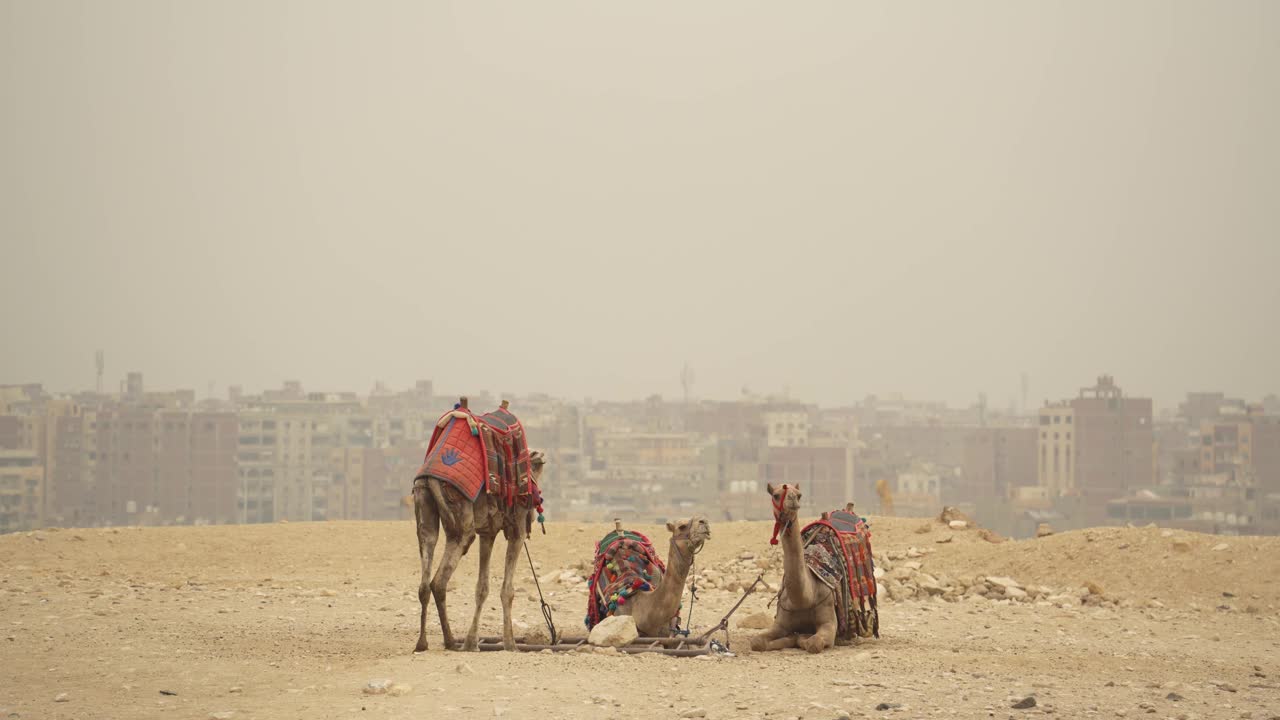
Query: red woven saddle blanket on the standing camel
pixel 482 453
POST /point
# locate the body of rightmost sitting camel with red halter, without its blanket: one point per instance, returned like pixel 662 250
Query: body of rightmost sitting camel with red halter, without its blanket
pixel 807 608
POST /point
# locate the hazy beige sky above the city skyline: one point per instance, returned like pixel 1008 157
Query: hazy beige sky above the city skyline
pixel 578 198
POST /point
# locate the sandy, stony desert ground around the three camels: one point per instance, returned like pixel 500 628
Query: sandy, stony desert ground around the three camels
pixel 294 621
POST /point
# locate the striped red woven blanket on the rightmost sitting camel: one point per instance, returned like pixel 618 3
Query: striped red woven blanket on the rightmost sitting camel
pixel 839 553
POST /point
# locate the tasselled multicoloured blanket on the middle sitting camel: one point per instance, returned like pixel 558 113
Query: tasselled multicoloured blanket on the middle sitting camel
pixel 625 564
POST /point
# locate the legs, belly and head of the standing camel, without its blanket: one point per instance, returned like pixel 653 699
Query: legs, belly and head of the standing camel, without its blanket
pixel 437 504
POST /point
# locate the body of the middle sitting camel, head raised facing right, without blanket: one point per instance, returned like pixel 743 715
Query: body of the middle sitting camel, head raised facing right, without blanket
pixel 657 609
